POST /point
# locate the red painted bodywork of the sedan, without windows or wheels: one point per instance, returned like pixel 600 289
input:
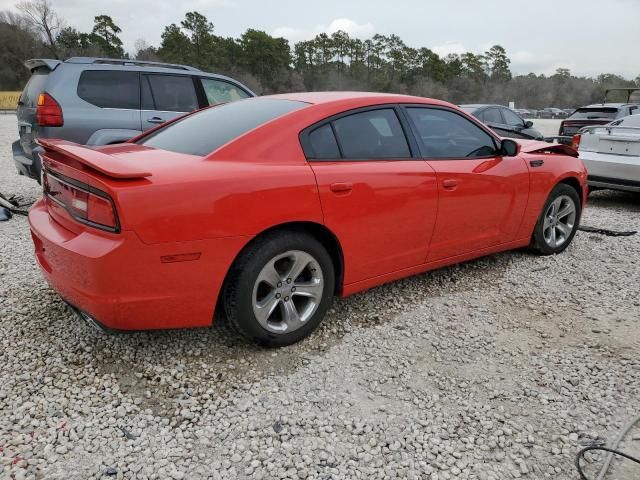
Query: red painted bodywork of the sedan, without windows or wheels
pixel 391 218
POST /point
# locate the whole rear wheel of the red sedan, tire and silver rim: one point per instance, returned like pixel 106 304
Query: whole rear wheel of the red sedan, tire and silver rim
pixel 280 288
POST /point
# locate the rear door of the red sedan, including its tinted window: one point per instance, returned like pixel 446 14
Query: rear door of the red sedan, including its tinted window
pixel 377 195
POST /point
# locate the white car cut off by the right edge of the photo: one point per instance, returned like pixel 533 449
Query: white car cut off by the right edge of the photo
pixel 611 154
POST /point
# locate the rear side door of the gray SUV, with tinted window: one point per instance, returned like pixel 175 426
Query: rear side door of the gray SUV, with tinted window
pixel 167 96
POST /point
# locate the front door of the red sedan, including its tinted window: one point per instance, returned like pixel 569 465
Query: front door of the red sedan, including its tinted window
pixel 482 195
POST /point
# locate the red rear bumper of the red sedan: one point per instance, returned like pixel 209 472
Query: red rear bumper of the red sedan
pixel 122 284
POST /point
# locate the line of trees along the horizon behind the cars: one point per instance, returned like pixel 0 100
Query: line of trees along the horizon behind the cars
pixel 270 64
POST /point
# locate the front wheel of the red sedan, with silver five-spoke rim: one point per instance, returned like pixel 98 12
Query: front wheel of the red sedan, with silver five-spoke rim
pixel 558 221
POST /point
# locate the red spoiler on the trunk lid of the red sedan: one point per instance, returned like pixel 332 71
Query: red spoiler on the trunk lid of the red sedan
pixel 108 165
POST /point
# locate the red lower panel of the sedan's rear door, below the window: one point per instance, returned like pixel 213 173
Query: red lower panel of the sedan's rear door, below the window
pixel 383 212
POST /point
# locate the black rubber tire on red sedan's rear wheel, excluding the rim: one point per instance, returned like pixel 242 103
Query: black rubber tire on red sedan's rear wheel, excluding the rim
pixel 239 286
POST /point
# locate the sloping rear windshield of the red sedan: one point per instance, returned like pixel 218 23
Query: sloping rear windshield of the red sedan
pixel 203 132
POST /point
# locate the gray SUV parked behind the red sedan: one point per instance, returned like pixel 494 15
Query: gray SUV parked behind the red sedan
pixel 98 101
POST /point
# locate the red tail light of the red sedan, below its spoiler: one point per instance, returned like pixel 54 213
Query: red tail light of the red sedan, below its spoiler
pixel 86 204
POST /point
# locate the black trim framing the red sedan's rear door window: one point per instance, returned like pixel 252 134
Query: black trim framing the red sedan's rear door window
pixel 305 143
